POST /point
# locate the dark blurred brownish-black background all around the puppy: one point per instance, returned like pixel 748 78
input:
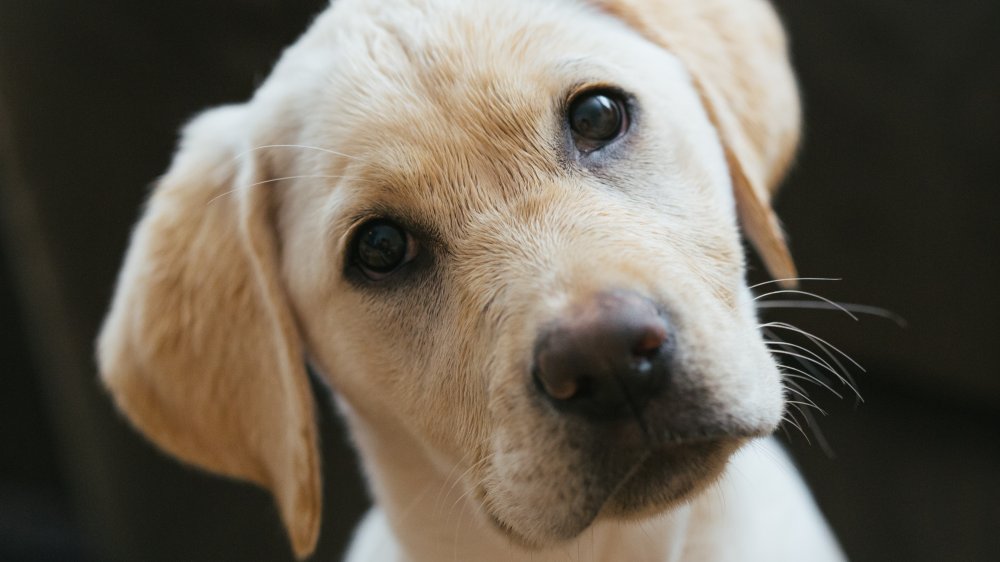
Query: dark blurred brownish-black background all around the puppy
pixel 896 193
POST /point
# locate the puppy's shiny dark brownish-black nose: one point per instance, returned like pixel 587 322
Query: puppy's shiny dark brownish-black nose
pixel 606 357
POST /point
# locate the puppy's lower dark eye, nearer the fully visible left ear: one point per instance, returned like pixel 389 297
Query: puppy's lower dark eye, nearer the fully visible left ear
pixel 381 247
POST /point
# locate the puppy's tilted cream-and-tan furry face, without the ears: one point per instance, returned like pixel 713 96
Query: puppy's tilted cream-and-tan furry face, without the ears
pixel 516 224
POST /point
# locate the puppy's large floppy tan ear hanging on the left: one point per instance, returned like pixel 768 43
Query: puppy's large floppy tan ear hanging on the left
pixel 200 349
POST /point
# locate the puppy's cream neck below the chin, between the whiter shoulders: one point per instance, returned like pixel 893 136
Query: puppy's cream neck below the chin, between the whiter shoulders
pixel 432 518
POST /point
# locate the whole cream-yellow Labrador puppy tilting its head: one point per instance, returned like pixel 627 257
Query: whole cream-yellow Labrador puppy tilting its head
pixel 507 234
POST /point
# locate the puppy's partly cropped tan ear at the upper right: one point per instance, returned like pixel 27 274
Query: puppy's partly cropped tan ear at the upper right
pixel 736 55
